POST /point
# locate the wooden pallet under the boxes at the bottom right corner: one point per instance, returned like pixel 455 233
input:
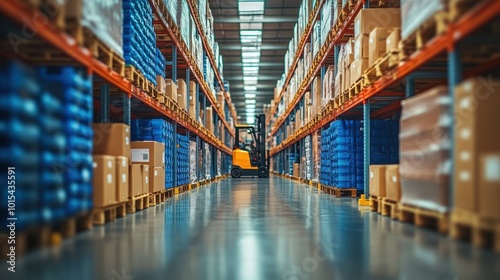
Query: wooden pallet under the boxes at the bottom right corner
pixel 481 231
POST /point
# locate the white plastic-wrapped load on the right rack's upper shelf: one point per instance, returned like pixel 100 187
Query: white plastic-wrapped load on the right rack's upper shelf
pixel 414 13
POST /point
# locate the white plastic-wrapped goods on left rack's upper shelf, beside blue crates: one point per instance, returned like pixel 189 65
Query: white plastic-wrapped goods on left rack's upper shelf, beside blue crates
pixel 103 18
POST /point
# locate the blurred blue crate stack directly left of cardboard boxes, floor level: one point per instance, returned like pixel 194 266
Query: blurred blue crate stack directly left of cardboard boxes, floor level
pixel 72 88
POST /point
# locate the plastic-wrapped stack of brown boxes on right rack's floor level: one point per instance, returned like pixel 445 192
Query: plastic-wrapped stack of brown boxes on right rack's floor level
pixel 425 162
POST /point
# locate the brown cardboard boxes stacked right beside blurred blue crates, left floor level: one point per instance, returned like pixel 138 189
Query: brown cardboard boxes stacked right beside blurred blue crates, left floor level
pixel 111 163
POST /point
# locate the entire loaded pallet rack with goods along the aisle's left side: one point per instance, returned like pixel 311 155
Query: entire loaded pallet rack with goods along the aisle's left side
pixel 72 173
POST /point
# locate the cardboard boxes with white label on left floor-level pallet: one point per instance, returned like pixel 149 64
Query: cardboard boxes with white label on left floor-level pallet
pixel 148 167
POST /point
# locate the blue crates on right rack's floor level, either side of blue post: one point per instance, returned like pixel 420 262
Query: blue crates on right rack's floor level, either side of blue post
pixel 342 151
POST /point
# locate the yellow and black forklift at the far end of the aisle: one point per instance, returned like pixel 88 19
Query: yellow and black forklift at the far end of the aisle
pixel 251 159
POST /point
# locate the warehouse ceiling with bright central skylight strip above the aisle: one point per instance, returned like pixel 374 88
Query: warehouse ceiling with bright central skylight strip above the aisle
pixel 253 37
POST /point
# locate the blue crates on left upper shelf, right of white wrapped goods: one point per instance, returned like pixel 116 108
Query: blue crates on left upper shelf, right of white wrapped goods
pixel 139 38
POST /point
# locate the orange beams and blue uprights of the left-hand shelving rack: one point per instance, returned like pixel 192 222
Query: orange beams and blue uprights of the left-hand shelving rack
pixel 118 98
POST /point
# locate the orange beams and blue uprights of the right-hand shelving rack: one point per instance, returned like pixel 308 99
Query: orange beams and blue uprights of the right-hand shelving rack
pixel 382 99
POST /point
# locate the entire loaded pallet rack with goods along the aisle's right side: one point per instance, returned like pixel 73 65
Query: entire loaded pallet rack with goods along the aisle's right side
pixel 382 55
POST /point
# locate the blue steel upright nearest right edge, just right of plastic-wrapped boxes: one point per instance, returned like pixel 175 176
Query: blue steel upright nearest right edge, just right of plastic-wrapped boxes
pixel 454 77
